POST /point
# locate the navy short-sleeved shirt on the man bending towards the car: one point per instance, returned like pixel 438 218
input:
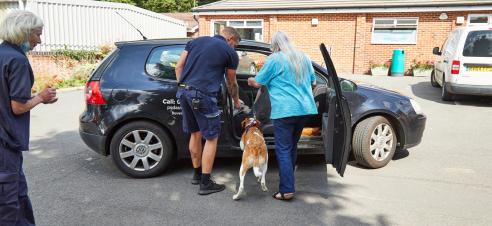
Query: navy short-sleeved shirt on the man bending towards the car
pixel 207 60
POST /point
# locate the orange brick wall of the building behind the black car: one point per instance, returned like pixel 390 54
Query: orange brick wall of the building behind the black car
pixel 349 35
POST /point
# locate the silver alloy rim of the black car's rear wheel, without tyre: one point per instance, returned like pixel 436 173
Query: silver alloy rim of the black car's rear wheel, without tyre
pixel 140 150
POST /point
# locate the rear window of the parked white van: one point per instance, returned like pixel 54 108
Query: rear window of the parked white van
pixel 478 44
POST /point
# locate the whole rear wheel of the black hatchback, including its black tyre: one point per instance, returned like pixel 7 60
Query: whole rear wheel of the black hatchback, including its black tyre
pixel 141 149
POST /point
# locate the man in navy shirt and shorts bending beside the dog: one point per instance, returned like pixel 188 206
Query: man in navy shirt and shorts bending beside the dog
pixel 200 71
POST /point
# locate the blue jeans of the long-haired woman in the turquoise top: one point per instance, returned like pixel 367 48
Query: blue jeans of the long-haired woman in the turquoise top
pixel 287 132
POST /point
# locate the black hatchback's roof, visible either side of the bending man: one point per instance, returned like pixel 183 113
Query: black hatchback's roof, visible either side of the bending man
pixel 182 41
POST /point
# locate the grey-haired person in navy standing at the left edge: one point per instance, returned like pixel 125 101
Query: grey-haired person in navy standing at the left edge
pixel 20 32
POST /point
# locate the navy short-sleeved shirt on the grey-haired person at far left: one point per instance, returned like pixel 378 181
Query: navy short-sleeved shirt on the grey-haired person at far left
pixel 16 80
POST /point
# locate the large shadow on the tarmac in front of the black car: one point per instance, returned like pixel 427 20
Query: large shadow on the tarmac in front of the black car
pixel 81 183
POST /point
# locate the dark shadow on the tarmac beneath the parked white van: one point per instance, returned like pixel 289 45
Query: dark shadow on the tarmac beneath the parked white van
pixel 424 90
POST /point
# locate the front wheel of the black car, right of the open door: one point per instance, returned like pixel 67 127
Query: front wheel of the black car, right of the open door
pixel 374 142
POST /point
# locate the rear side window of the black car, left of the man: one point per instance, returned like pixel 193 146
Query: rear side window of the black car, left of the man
pixel 162 61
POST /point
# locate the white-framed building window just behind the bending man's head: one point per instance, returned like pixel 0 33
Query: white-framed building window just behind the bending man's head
pixel 248 29
